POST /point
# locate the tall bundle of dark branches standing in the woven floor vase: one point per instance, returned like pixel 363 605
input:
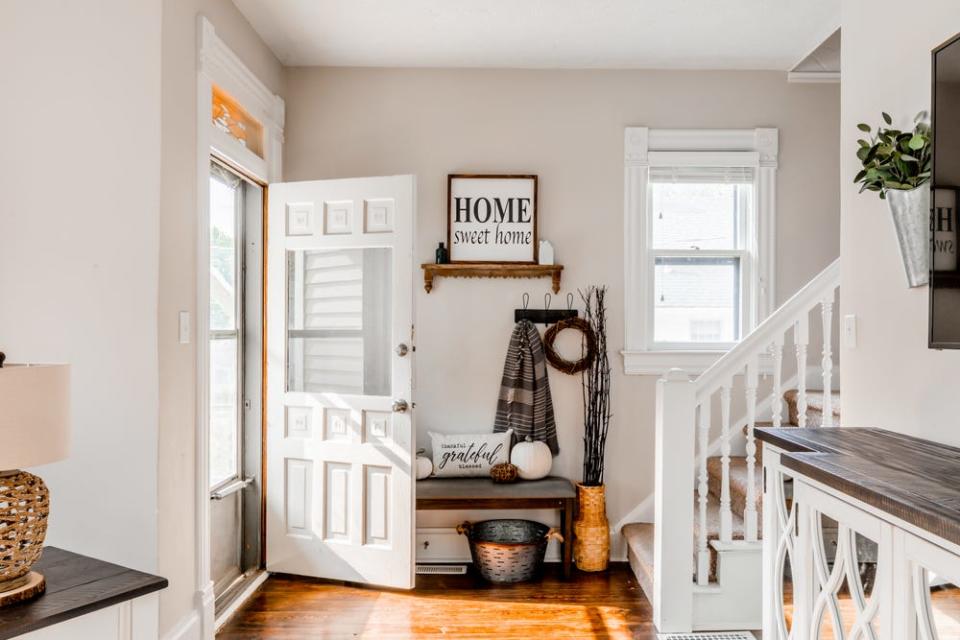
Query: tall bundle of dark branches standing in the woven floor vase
pixel 596 390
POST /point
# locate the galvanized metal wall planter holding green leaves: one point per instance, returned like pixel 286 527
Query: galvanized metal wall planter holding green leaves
pixel 911 221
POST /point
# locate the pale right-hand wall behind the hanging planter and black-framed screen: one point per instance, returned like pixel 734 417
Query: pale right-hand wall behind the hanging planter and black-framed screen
pixel 890 379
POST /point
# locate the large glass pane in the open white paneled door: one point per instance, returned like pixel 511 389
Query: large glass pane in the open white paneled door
pixel 339 313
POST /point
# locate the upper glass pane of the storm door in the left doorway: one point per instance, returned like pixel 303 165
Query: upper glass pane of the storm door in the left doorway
pixel 223 254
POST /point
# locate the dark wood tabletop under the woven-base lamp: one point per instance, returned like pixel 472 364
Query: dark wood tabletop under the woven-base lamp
pixel 76 585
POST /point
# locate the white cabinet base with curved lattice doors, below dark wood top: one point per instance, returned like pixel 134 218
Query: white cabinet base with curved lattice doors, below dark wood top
pixel 835 566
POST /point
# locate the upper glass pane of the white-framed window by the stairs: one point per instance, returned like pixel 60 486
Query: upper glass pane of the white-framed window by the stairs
pixel 698 215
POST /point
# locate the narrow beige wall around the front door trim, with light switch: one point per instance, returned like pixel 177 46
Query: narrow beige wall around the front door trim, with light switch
pixel 178 234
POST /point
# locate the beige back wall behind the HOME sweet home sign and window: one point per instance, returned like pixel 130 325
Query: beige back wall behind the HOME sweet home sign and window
pixel 567 127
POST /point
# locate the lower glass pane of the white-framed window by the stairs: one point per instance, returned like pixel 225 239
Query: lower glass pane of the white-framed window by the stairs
pixel 697 300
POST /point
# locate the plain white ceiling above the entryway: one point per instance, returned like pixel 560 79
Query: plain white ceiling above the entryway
pixel 662 34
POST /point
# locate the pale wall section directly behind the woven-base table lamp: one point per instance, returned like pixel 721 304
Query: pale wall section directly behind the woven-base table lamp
pixel 79 173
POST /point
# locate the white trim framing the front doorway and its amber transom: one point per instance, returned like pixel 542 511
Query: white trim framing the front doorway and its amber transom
pixel 218 64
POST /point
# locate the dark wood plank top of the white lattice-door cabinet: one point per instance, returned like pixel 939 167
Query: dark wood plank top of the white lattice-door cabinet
pixel 915 480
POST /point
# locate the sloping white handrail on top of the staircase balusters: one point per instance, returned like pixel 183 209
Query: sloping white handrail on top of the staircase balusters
pixel 766 332
